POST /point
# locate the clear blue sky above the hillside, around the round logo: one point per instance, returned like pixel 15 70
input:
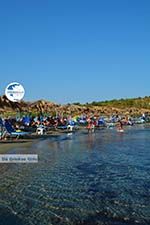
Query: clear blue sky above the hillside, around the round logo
pixel 76 50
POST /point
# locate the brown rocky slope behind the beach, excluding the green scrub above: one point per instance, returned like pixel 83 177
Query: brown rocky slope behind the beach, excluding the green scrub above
pixel 43 106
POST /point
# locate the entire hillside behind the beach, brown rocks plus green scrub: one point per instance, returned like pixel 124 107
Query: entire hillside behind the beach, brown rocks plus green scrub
pixel 134 106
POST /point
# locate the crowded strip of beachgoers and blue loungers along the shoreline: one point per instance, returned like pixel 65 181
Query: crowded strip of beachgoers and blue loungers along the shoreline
pixel 40 125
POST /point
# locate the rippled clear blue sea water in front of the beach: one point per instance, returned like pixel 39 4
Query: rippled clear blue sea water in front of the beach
pixel 100 178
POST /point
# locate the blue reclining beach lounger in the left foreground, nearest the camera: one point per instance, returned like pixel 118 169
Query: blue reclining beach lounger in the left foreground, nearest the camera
pixel 12 132
